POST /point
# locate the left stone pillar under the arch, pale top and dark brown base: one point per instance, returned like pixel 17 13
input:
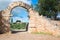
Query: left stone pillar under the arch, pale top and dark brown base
pixel 4 23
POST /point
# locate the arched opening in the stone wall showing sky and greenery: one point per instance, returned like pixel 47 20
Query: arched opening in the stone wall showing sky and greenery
pixel 19 20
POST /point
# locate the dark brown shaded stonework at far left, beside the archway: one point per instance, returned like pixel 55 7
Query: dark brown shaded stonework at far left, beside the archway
pixel 4 25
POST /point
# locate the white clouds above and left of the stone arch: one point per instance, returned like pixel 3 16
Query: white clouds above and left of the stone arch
pixel 5 3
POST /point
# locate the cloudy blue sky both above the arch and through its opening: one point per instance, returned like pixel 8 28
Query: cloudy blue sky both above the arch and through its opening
pixel 19 13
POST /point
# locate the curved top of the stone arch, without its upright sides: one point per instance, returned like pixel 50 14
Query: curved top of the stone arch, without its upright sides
pixel 20 4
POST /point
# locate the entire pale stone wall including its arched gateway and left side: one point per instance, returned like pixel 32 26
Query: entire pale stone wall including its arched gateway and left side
pixel 36 23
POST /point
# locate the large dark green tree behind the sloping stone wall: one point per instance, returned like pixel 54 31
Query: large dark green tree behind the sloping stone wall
pixel 48 7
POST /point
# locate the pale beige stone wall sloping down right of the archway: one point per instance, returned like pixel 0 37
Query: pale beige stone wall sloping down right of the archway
pixel 42 24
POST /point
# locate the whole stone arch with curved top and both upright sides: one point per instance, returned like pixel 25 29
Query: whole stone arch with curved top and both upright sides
pixel 7 13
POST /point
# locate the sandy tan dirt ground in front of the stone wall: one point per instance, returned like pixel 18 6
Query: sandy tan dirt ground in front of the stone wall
pixel 27 36
